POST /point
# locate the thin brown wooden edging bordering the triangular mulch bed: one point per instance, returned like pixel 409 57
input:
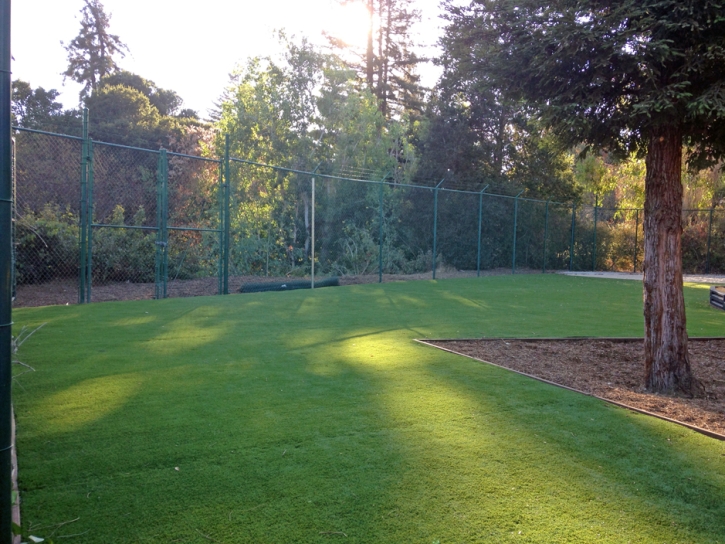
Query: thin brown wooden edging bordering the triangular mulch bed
pixel 700 430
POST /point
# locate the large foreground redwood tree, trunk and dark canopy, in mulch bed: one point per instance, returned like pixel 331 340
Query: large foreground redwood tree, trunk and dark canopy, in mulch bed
pixel 630 75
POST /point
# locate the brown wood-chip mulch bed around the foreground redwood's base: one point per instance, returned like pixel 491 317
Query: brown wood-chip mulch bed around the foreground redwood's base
pixel 611 369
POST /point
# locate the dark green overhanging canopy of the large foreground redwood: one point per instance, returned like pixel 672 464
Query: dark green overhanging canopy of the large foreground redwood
pixel 605 73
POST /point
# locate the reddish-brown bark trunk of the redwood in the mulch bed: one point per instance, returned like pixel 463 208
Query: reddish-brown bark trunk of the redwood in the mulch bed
pixel 667 365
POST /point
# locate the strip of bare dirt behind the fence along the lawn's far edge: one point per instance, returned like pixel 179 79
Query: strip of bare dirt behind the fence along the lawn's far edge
pixel 61 292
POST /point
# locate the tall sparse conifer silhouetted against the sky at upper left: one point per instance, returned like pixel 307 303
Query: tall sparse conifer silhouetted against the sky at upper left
pixel 91 53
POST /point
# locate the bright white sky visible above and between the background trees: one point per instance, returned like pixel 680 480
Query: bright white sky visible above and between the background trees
pixel 191 51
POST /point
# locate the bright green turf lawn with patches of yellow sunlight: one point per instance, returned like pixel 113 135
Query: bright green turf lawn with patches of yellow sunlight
pixel 314 417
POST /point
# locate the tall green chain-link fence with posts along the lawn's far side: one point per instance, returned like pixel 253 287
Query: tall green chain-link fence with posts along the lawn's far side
pixel 97 221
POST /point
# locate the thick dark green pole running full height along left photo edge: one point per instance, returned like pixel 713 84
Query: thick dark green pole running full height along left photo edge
pixel 6 508
